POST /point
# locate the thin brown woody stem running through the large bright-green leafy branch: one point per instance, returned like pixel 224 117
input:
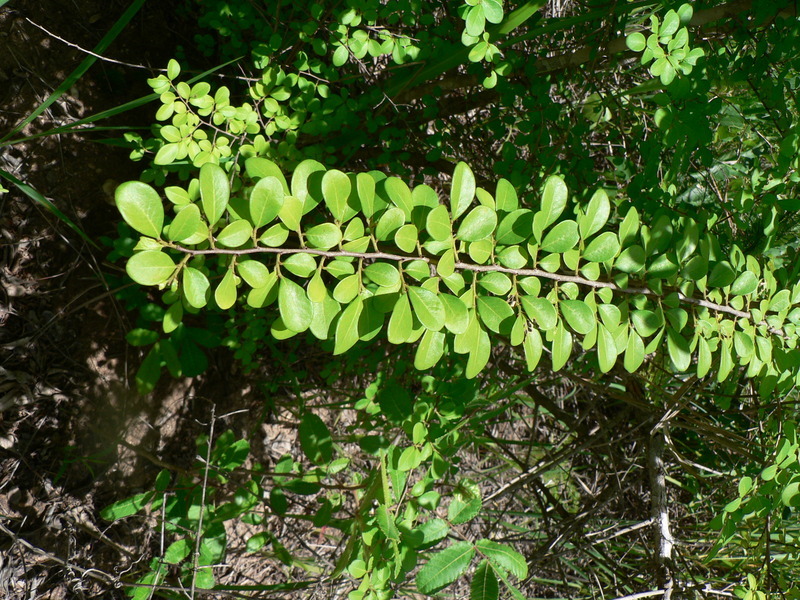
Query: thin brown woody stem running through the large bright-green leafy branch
pixel 720 308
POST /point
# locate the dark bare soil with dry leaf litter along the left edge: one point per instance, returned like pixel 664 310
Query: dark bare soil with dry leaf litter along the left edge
pixel 65 367
